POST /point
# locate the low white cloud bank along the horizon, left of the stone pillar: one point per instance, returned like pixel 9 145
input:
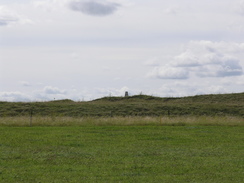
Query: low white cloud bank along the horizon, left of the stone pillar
pixel 48 93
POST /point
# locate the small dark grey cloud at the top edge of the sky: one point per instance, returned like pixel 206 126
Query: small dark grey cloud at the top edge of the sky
pixel 94 7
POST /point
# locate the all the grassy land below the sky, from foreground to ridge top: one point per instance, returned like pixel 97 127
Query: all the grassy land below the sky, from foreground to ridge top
pixel 124 139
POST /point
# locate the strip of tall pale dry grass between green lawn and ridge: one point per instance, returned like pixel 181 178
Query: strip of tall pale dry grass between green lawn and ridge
pixel 122 121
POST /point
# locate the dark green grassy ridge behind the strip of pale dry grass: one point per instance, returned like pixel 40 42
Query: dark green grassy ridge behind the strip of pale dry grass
pixel 138 105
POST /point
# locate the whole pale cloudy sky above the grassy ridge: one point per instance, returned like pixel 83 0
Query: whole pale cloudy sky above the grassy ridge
pixel 87 49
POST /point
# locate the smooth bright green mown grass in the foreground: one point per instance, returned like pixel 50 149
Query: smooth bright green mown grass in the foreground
pixel 122 154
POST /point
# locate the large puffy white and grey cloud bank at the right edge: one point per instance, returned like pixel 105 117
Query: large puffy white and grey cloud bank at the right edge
pixel 202 59
